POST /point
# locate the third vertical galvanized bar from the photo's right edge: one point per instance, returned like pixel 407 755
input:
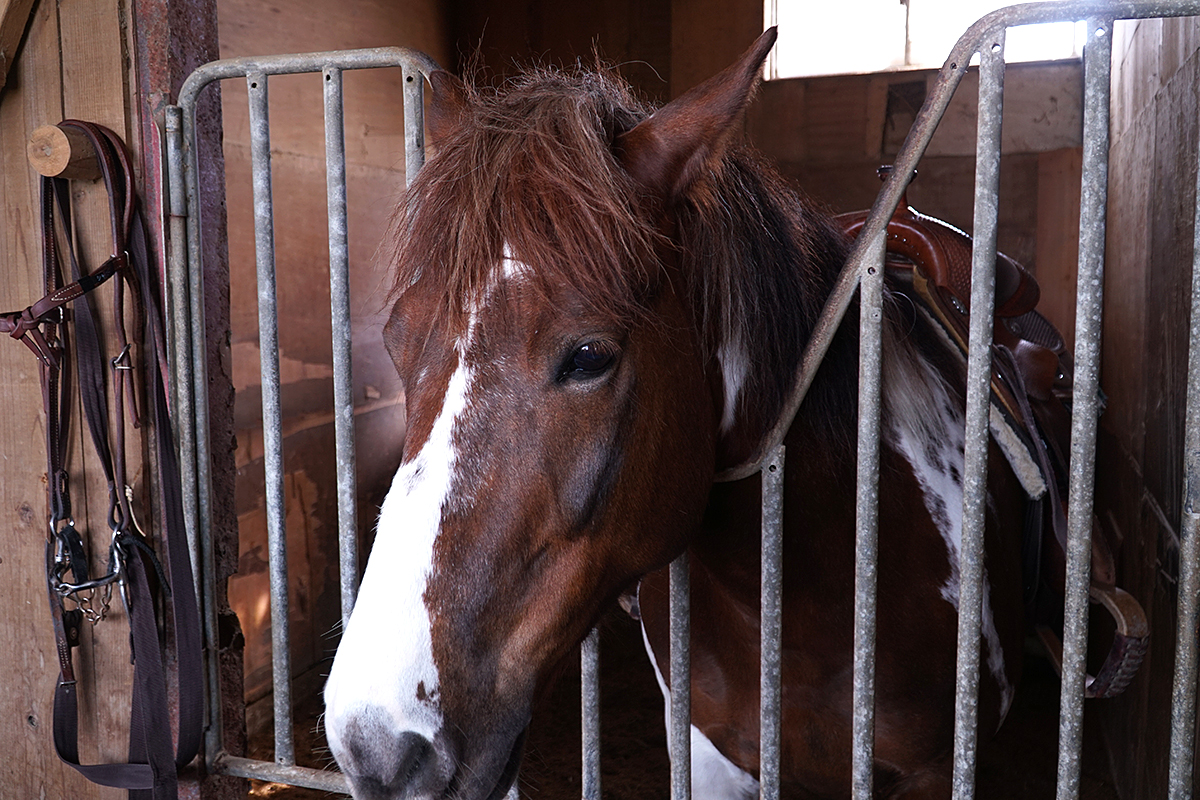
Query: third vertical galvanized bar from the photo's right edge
pixel 975 479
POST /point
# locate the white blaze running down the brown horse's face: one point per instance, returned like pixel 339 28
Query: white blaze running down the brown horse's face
pixel 385 664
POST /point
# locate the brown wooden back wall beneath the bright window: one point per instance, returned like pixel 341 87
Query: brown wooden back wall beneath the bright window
pixel 830 135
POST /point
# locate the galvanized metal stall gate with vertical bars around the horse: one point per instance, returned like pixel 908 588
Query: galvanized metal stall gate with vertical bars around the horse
pixel 863 273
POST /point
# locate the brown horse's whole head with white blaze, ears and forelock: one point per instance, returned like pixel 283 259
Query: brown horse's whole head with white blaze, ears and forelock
pixel 568 406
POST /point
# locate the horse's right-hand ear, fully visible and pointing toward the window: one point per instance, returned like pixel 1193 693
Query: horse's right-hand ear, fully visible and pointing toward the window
pixel 668 152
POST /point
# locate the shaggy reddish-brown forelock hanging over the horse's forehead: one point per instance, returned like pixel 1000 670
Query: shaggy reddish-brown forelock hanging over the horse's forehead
pixel 530 175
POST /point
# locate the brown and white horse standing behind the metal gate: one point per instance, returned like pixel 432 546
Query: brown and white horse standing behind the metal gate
pixel 598 308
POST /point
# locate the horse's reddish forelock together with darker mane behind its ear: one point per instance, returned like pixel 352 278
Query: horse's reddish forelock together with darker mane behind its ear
pixel 531 167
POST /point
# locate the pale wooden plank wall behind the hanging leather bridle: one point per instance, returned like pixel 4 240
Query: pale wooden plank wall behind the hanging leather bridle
pixel 113 64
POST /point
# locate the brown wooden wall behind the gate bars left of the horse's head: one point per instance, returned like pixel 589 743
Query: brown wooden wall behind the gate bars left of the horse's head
pixel 375 147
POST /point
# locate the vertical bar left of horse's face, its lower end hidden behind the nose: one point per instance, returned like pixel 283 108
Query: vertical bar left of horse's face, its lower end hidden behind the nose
pixel 340 312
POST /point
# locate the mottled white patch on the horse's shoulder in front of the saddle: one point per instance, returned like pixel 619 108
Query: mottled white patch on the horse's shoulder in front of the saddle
pixel 927 426
